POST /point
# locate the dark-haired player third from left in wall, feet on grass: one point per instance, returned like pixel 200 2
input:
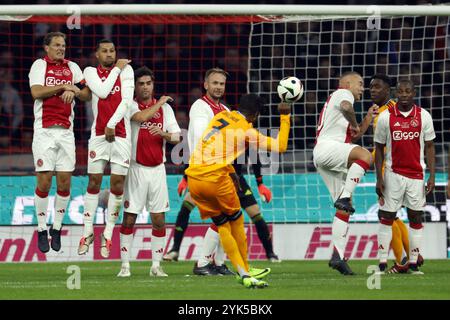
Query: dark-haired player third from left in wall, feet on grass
pixel 153 124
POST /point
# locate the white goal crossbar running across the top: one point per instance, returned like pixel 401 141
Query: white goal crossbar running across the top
pixel 230 9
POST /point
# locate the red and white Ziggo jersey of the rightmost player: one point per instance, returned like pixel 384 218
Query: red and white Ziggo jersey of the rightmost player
pixel 404 135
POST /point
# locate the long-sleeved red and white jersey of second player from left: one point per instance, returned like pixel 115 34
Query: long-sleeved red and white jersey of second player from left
pixel 110 88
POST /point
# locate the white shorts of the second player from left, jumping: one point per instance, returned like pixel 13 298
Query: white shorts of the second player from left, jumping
pixel 101 152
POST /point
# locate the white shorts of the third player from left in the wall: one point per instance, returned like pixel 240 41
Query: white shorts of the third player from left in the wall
pixel 146 187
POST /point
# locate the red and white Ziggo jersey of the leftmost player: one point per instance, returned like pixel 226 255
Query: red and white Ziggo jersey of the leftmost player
pixel 52 111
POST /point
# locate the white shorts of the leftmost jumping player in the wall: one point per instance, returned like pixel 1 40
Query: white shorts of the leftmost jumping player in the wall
pixel 54 150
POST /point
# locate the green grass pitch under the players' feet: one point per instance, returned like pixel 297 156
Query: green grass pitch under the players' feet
pixel 289 280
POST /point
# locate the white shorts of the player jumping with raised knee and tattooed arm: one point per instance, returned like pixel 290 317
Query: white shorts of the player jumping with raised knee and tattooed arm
pixel 331 160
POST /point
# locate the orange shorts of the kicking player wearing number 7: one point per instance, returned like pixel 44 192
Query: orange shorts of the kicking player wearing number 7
pixel 214 198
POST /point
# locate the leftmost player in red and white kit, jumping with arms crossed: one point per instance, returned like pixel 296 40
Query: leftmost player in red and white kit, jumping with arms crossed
pixel 54 83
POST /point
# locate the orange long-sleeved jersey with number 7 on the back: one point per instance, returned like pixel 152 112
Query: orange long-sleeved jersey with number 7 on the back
pixel 226 138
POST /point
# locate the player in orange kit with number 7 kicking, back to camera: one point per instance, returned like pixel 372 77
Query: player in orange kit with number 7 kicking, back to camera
pixel 213 182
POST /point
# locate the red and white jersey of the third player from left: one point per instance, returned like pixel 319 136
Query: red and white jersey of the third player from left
pixel 148 149
